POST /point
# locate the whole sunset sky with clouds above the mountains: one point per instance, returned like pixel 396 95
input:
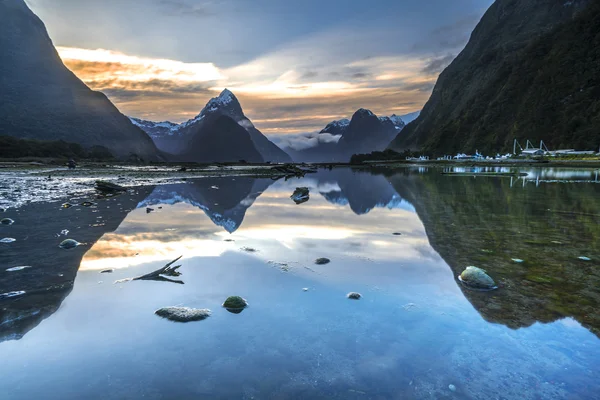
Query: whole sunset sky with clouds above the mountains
pixel 294 65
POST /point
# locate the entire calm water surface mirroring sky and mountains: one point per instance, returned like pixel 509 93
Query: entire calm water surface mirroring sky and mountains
pixel 417 333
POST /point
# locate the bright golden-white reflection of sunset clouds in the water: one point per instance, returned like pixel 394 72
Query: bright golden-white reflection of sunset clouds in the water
pixel 359 245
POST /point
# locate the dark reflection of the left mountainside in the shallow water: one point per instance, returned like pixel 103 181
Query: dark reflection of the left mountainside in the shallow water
pixel 51 273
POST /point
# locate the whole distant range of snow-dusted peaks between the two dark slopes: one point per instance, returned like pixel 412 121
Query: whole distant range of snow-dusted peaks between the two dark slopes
pixel 201 140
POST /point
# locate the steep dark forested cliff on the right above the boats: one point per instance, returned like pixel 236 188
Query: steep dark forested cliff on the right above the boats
pixel 529 71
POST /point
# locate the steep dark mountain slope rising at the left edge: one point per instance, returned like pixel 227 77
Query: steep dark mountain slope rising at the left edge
pixel 41 99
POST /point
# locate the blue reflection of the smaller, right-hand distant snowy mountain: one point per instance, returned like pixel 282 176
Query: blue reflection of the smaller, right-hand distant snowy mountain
pixel 362 191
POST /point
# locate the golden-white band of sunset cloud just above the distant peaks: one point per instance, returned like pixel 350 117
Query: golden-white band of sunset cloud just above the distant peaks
pixel 277 99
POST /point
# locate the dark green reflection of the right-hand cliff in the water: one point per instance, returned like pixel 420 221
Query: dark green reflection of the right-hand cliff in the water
pixel 487 223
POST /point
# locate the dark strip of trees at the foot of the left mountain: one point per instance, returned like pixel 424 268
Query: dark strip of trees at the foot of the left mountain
pixel 11 147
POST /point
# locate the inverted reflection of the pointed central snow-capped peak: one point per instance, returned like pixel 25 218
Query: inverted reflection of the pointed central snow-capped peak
pixel 223 199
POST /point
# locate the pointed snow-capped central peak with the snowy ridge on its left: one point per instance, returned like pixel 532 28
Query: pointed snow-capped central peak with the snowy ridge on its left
pixel 221 132
